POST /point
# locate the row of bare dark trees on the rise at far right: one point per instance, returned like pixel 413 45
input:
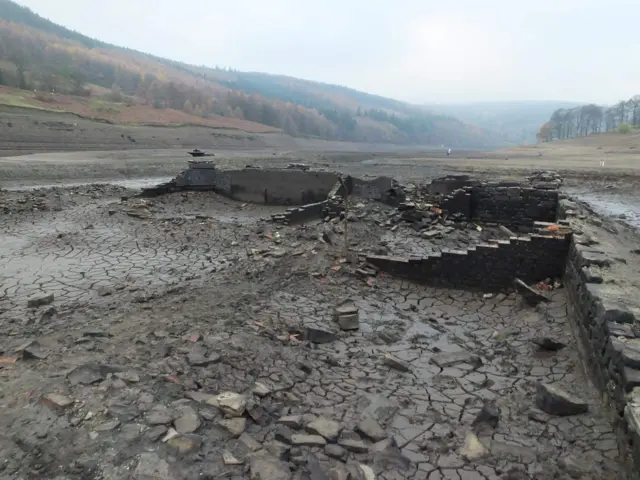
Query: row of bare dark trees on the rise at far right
pixel 588 119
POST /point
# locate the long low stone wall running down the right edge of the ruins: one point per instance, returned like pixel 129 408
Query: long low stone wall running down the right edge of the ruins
pixel 610 336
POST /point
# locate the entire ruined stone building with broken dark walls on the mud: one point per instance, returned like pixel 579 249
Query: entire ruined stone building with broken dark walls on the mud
pixel 537 245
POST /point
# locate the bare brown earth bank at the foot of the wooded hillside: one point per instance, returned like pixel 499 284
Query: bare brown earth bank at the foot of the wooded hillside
pixel 27 130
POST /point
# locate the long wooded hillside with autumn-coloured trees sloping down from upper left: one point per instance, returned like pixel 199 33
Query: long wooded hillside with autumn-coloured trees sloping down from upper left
pixel 75 73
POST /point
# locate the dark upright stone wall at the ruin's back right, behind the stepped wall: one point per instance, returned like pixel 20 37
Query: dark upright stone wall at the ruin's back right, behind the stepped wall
pixel 502 203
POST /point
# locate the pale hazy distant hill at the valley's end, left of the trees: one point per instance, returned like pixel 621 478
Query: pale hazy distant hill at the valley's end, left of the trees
pixel 516 123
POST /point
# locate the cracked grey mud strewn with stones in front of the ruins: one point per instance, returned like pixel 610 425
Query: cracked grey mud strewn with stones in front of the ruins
pixel 187 338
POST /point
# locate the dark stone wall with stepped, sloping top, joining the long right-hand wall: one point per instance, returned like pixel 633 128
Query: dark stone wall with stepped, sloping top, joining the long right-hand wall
pixel 491 267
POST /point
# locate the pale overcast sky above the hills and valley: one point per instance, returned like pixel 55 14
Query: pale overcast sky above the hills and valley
pixel 413 50
